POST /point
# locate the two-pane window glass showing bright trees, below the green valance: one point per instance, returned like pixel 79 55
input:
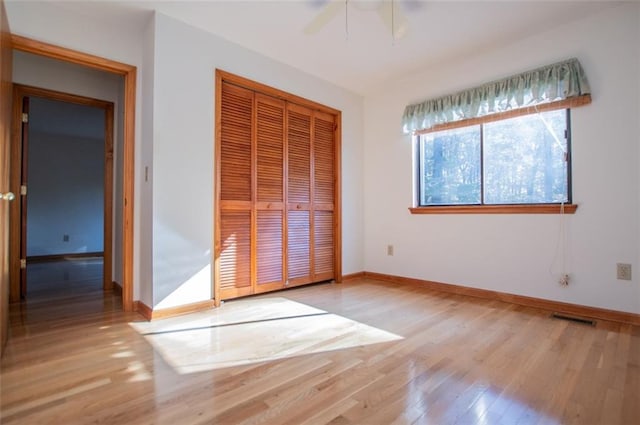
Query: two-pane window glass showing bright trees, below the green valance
pixel 522 160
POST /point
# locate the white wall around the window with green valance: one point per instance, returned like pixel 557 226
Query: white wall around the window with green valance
pixel 515 253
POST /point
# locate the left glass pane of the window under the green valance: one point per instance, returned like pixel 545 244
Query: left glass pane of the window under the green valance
pixel 450 167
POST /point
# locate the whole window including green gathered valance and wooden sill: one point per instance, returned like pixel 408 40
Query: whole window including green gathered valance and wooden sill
pixel 501 147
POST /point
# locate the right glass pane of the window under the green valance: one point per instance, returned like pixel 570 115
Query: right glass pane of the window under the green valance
pixel 524 159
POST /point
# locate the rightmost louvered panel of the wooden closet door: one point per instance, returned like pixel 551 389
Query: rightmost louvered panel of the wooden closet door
pixel 323 196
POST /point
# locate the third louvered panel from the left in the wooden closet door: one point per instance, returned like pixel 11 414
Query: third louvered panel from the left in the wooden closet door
pixel 299 197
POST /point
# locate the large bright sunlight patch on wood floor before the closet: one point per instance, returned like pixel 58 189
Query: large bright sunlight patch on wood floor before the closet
pixel 251 331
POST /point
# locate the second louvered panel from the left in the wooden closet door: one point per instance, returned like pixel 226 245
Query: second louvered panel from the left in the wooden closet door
pixel 269 206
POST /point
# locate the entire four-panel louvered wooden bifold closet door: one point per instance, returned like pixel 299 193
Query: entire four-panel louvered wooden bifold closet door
pixel 277 190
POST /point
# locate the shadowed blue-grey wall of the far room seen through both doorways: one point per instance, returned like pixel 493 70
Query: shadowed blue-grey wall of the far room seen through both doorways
pixel 66 194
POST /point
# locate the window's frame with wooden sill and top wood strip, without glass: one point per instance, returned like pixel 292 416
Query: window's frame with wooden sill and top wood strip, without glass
pixel 548 208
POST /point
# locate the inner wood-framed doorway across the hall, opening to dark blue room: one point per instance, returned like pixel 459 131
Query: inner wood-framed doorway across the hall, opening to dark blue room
pixel 67 191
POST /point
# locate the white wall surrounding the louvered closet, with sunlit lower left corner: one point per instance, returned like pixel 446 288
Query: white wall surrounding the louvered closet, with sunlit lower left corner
pixel 183 153
